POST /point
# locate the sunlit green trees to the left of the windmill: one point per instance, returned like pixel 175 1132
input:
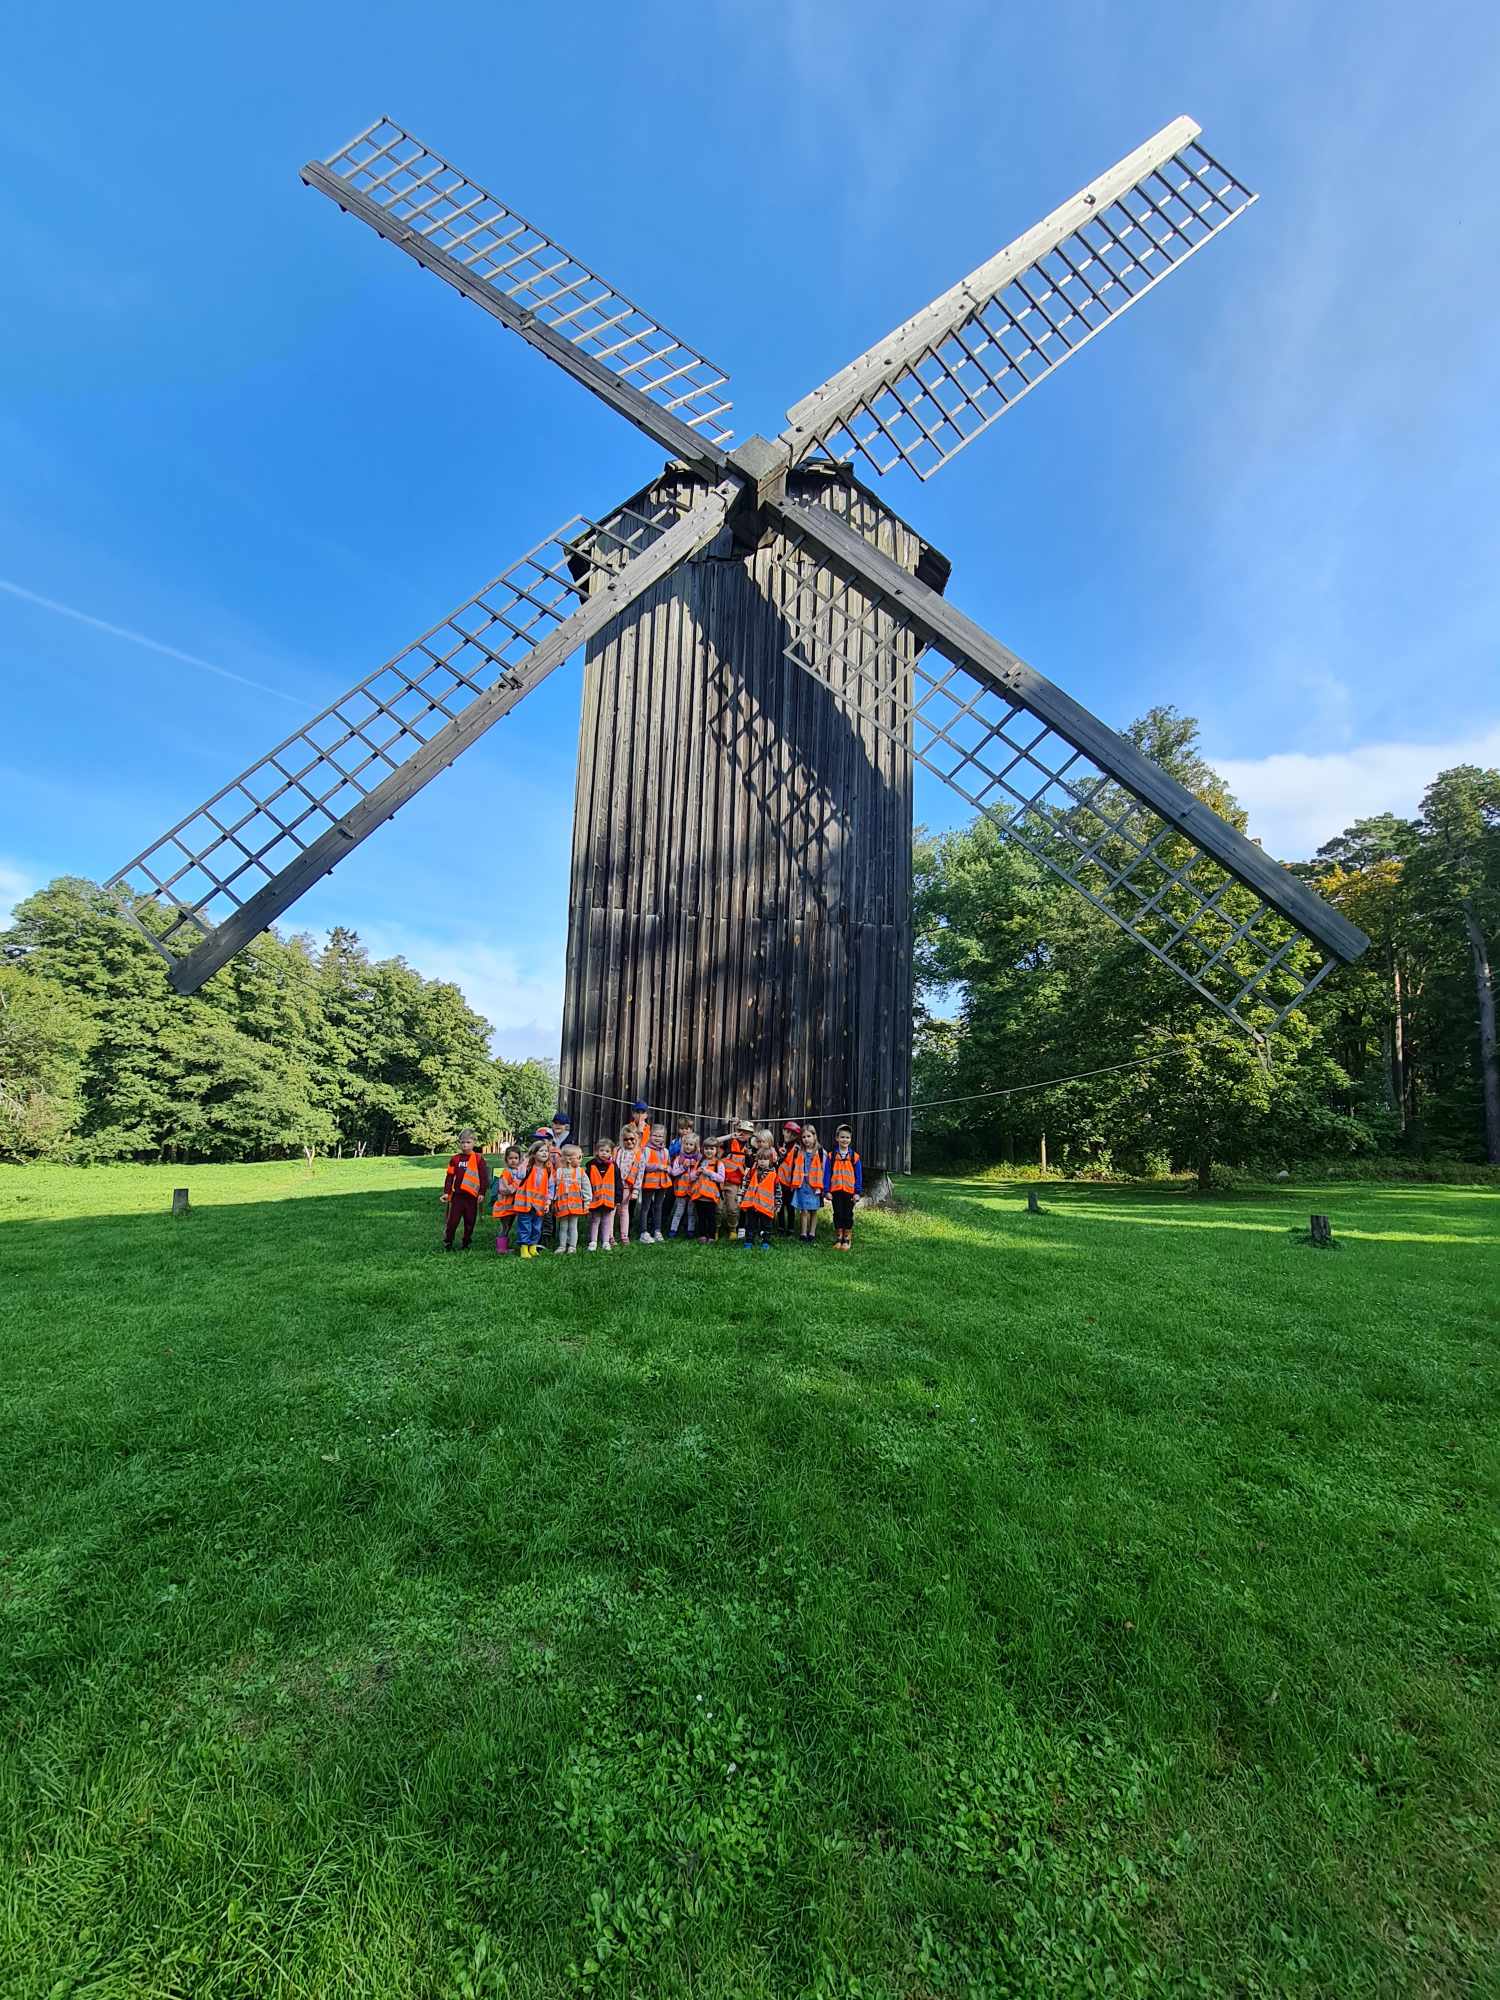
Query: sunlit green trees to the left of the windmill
pixel 295 1045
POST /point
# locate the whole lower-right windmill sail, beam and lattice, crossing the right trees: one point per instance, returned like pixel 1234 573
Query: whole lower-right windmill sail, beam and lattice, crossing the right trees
pixel 1187 885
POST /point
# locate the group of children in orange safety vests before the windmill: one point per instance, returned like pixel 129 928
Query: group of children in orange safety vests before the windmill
pixel 741 1183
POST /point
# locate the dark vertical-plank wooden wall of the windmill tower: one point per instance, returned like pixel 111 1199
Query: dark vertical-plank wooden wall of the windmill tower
pixel 741 925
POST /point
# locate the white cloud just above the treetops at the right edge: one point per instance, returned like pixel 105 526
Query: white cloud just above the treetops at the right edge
pixel 1299 801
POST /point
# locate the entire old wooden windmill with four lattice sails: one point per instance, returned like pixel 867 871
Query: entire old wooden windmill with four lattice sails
pixel 767 655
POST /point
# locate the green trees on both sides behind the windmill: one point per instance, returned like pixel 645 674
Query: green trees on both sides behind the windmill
pixel 297 1045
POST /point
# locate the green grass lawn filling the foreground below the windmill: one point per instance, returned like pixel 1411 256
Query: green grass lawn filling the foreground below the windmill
pixel 1087 1603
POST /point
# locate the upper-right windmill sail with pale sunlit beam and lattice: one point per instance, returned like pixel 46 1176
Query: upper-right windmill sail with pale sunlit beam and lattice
pixel 933 385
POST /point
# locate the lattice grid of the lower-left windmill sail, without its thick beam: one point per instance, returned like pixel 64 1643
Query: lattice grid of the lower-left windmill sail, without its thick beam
pixel 239 841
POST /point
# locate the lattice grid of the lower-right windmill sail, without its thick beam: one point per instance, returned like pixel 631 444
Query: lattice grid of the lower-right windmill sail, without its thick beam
pixel 1047 795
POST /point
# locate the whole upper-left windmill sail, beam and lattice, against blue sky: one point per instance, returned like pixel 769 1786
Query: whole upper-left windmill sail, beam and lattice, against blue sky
pixel 519 275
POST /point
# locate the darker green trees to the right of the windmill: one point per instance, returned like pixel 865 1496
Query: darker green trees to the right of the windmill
pixel 1393 1057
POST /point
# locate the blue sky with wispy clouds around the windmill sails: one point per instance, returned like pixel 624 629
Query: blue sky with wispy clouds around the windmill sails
pixel 247 451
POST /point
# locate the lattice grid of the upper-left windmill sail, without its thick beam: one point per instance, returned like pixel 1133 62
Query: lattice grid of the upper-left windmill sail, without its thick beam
pixel 431 197
